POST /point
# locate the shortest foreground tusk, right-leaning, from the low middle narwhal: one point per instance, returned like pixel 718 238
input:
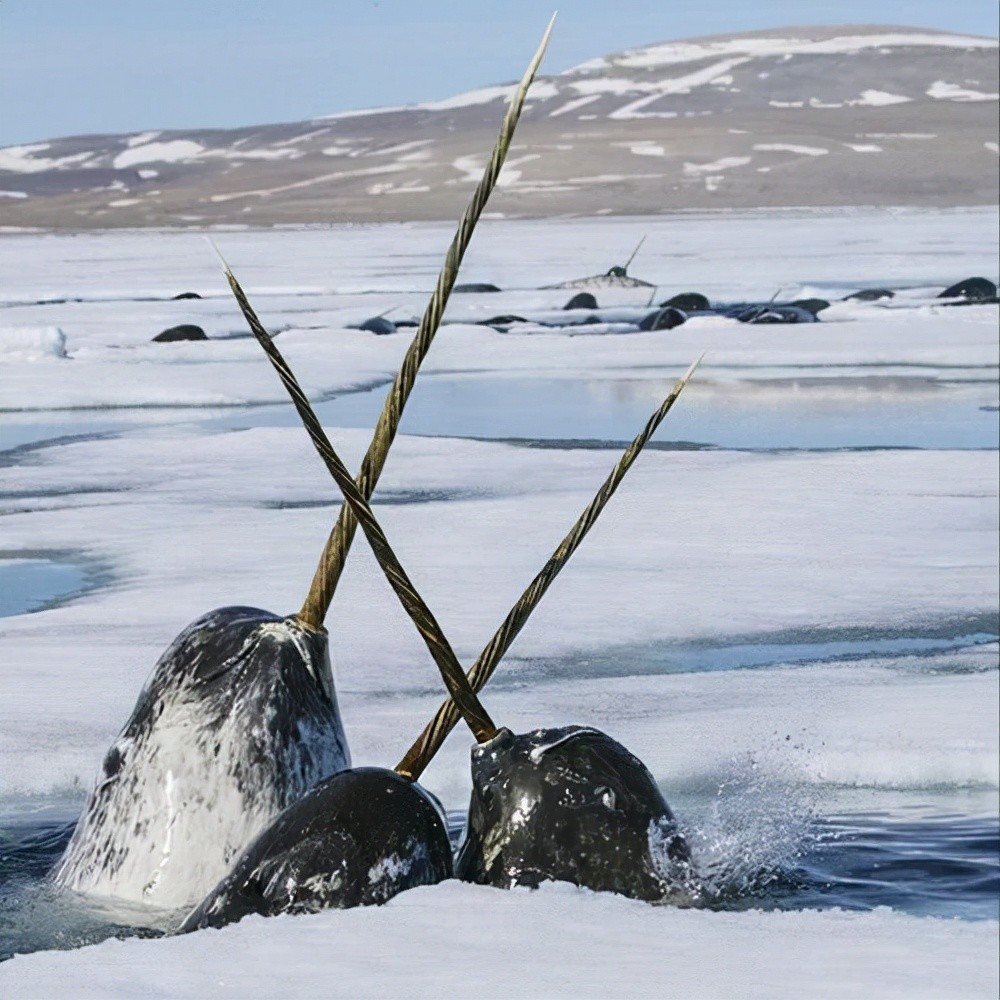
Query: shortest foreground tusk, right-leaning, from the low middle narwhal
pixel 427 744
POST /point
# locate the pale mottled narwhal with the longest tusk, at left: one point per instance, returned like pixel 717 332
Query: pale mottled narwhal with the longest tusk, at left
pixel 239 717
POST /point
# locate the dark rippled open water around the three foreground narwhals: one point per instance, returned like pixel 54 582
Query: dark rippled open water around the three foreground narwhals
pixel 931 864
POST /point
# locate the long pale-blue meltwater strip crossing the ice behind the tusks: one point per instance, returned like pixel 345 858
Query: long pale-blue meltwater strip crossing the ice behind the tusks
pixel 803 413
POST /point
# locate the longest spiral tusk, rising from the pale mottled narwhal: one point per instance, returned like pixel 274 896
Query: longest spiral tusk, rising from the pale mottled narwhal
pixel 331 563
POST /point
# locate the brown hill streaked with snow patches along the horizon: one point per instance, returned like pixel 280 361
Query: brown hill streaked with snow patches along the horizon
pixel 799 116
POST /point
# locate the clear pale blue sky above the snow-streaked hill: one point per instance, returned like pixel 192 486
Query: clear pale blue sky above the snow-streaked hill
pixel 75 67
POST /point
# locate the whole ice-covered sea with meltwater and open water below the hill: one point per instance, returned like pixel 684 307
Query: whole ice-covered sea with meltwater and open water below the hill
pixel 789 611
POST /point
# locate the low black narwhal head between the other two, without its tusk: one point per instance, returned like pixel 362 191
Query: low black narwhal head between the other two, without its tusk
pixel 356 839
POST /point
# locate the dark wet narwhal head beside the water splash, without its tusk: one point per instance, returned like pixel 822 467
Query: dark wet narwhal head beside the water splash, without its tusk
pixel 569 804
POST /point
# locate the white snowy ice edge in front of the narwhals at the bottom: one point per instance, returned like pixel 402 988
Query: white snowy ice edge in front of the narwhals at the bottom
pixel 559 941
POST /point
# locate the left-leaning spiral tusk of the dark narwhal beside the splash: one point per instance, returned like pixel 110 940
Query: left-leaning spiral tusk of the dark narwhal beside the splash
pixel 444 656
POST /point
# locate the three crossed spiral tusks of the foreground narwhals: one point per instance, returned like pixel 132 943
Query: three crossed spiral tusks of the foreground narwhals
pixel 464 701
